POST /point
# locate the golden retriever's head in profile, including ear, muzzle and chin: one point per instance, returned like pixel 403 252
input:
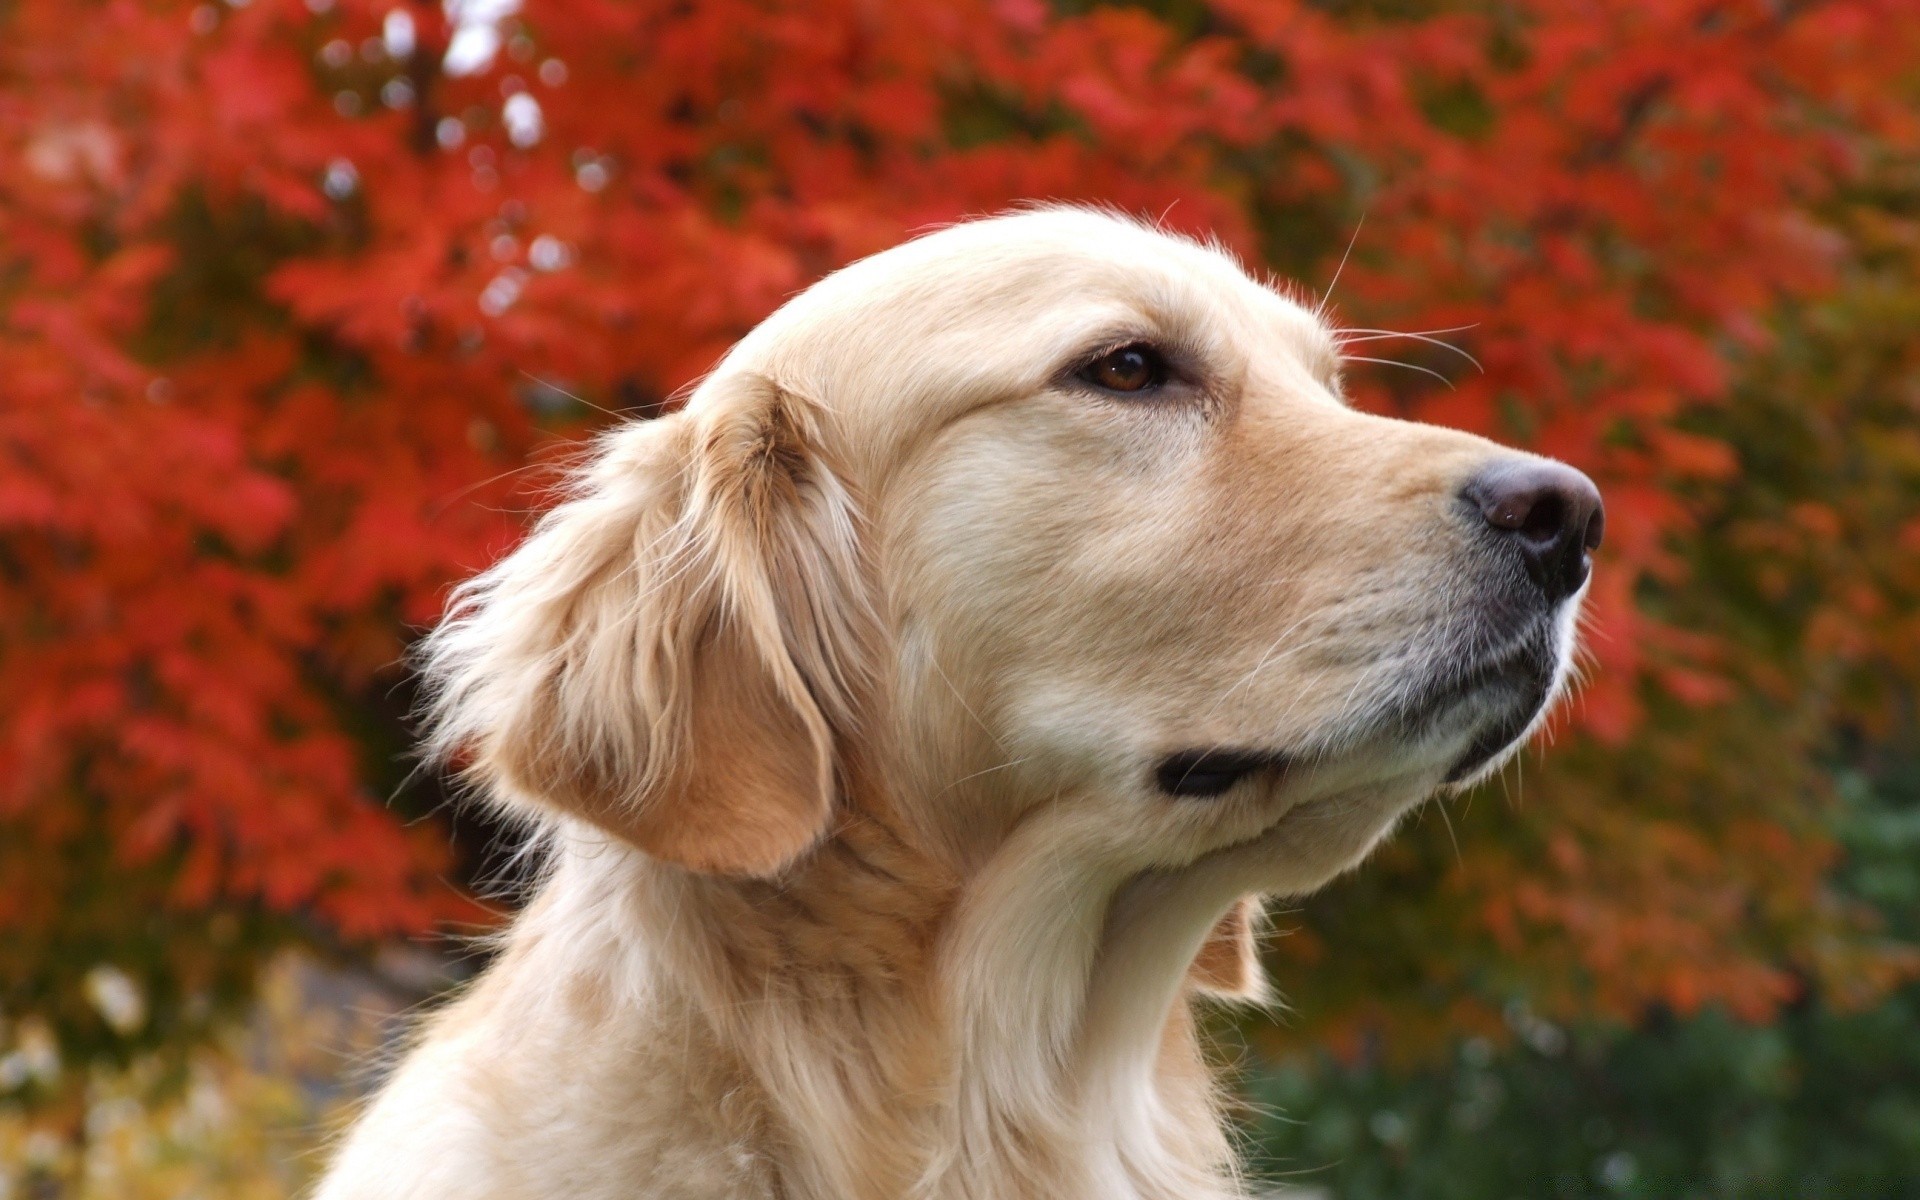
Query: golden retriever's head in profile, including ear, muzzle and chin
pixel 1057 531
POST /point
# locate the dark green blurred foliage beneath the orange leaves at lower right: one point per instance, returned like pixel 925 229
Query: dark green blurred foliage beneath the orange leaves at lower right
pixel 1823 1103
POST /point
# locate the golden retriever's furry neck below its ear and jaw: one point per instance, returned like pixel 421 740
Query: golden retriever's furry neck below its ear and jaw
pixel 934 1036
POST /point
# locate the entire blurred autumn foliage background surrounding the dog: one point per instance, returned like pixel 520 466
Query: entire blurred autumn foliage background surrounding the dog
pixel 304 304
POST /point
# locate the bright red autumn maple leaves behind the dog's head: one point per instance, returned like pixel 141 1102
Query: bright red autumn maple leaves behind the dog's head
pixel 291 297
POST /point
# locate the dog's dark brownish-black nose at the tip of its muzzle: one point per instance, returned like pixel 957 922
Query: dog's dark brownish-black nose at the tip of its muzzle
pixel 1550 512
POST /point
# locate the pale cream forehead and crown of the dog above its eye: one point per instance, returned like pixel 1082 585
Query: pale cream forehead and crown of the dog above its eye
pixel 999 306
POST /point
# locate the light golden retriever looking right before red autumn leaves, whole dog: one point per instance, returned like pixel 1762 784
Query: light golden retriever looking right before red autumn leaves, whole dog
pixel 915 717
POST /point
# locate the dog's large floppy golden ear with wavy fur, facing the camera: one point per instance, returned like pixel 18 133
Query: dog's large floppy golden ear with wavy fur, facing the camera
pixel 677 648
